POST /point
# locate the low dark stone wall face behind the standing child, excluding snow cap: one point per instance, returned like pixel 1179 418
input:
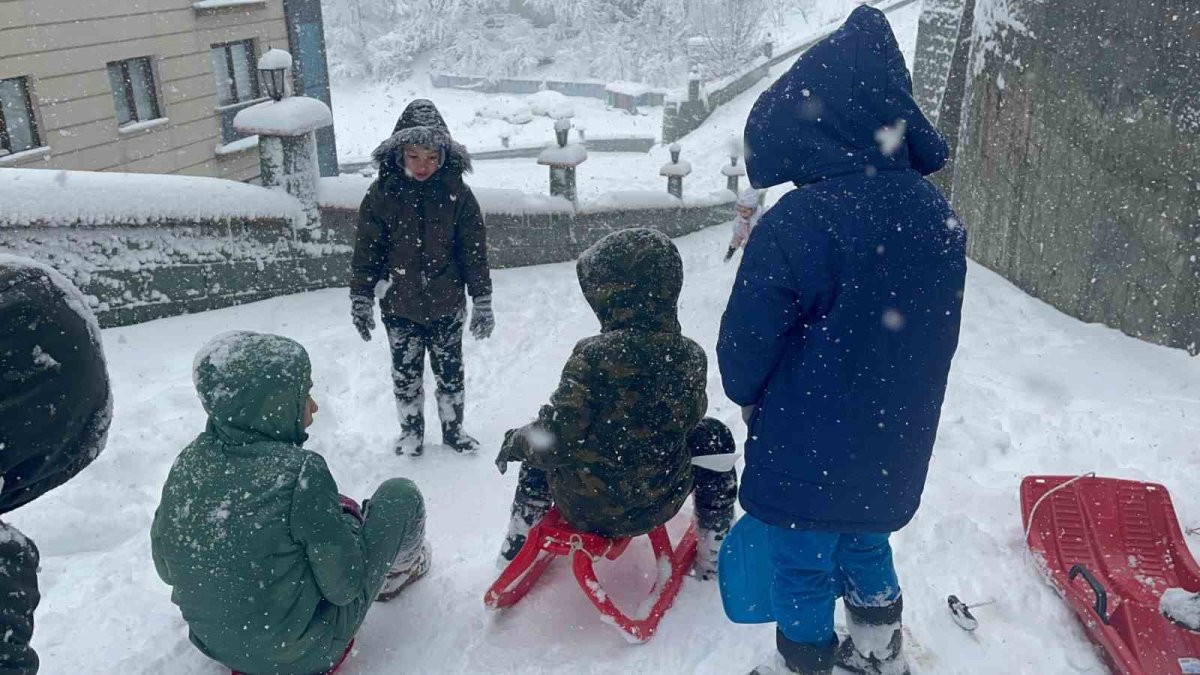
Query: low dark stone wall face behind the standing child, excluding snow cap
pixel 137 273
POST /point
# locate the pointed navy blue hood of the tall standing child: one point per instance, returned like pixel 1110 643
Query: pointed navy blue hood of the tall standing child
pixel 845 107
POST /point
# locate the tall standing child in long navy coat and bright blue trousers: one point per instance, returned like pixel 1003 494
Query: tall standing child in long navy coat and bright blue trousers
pixel 839 336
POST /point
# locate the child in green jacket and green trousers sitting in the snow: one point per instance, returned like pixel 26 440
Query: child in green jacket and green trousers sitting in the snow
pixel 268 569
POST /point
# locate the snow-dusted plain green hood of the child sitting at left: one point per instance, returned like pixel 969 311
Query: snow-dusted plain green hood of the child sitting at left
pixel 254 387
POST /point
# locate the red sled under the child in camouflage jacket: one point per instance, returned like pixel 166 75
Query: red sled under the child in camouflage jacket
pixel 554 537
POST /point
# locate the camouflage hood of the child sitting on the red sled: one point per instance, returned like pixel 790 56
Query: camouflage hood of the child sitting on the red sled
pixel 633 279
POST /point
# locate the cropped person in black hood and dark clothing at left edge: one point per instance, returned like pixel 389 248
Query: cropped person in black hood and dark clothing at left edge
pixel 56 407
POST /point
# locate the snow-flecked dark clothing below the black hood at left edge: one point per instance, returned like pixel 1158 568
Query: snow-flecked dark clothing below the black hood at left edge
pixel 19 588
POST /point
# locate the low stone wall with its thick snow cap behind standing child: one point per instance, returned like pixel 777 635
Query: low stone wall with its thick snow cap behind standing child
pixel 145 247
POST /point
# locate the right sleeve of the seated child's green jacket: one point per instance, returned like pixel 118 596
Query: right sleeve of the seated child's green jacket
pixel 334 546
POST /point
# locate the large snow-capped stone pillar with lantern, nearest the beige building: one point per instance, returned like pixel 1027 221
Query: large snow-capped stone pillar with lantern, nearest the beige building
pixel 287 144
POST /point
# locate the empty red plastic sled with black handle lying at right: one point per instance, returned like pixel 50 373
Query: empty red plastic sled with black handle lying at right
pixel 1112 548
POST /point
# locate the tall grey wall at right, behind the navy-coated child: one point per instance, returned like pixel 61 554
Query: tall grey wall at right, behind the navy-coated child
pixel 1078 168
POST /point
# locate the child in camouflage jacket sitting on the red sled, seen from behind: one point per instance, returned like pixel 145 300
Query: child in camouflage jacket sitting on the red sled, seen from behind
pixel 615 449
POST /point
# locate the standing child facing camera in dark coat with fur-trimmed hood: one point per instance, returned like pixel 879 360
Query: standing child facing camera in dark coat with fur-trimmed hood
pixel 421 242
